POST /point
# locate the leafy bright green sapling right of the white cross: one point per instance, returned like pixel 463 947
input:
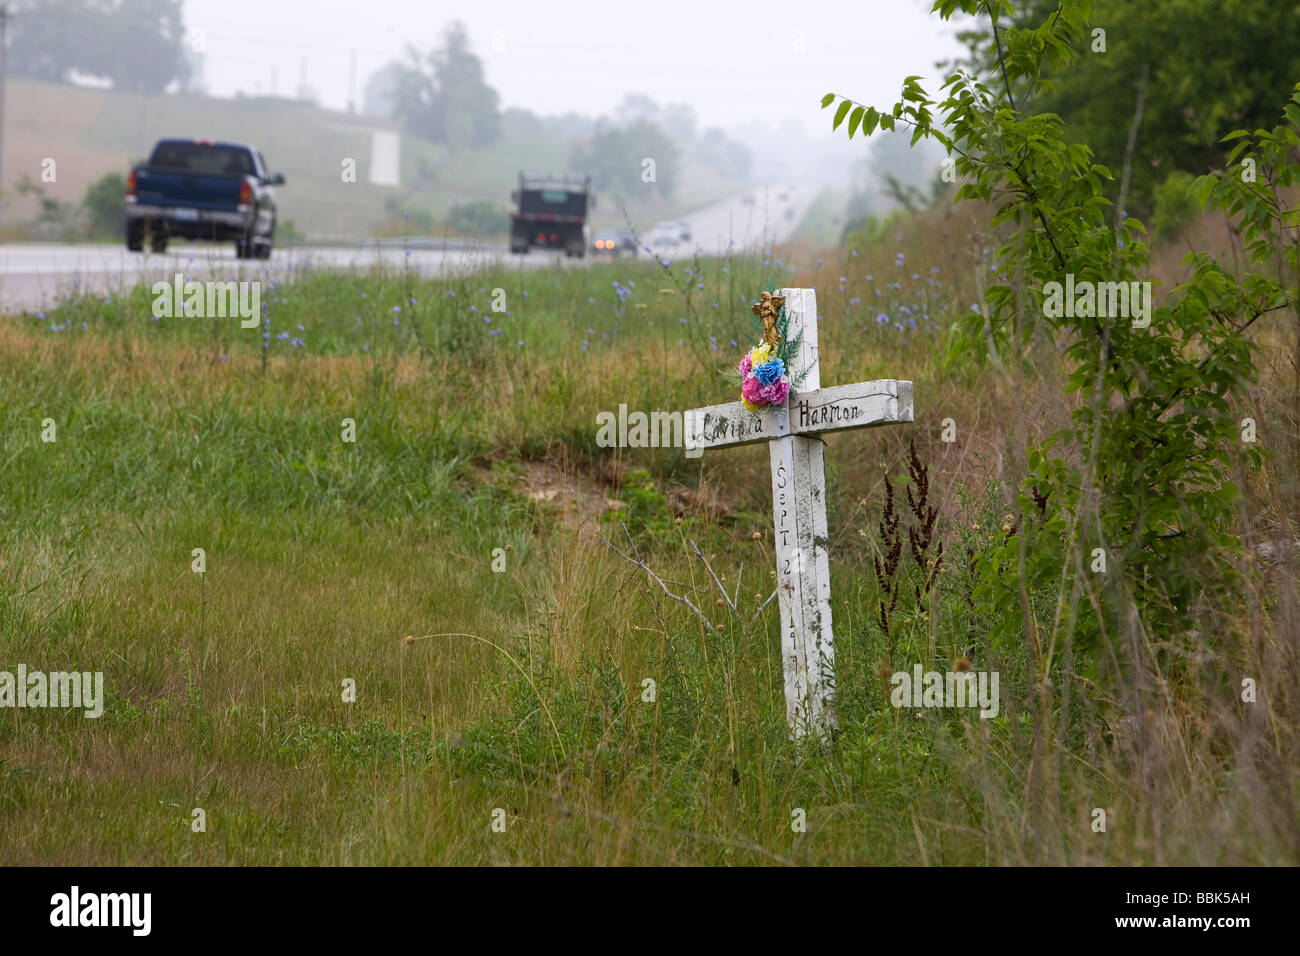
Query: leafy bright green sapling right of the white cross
pixel 1141 474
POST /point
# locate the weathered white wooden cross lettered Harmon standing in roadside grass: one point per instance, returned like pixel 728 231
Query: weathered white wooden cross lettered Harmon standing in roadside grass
pixel 799 503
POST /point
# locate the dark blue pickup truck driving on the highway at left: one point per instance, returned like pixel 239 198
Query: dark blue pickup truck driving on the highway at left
pixel 201 189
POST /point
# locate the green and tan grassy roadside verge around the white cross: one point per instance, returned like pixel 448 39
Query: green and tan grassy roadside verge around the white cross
pixel 521 691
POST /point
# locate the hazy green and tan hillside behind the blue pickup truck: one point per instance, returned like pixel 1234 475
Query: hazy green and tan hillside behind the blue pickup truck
pixel 94 132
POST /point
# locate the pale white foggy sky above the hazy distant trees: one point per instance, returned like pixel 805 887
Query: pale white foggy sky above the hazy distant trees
pixel 735 63
